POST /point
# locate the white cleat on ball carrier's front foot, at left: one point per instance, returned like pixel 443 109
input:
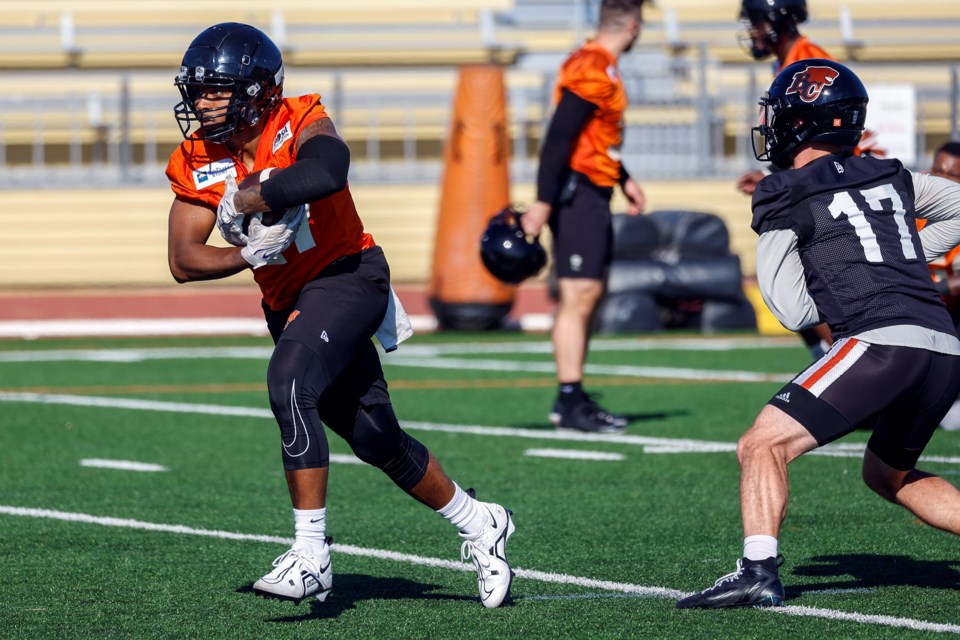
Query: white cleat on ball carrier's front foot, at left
pixel 298 574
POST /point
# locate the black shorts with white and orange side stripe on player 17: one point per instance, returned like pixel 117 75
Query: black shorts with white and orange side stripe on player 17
pixel 900 393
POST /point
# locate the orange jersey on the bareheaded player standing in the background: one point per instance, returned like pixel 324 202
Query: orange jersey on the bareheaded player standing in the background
pixel 591 73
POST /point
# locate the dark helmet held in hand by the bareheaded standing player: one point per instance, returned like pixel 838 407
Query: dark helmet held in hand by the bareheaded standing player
pixel 505 250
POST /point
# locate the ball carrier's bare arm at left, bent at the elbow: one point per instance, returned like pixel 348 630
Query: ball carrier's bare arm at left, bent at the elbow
pixel 189 256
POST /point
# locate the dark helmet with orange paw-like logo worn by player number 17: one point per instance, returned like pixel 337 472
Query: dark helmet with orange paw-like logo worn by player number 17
pixel 814 100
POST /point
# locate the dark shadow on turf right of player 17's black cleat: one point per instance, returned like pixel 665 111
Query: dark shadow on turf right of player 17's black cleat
pixel 863 571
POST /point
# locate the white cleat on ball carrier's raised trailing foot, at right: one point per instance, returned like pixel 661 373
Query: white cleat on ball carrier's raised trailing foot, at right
pixel 488 552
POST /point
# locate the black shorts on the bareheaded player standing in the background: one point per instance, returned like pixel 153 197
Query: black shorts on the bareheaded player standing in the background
pixel 582 228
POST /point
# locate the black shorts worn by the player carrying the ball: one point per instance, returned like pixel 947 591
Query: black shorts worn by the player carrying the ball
pixel 336 315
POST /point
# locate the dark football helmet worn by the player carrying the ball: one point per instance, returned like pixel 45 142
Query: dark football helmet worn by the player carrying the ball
pixel 240 58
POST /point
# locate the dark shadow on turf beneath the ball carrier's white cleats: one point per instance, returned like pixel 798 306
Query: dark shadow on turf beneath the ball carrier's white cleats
pixel 352 588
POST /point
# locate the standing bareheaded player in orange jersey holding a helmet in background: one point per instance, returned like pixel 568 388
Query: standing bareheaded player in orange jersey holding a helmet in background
pixel 579 166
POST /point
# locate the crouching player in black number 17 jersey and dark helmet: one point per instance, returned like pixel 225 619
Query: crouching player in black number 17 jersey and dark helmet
pixel 838 244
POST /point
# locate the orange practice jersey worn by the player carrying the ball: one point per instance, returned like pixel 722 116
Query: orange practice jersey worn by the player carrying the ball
pixel 197 171
